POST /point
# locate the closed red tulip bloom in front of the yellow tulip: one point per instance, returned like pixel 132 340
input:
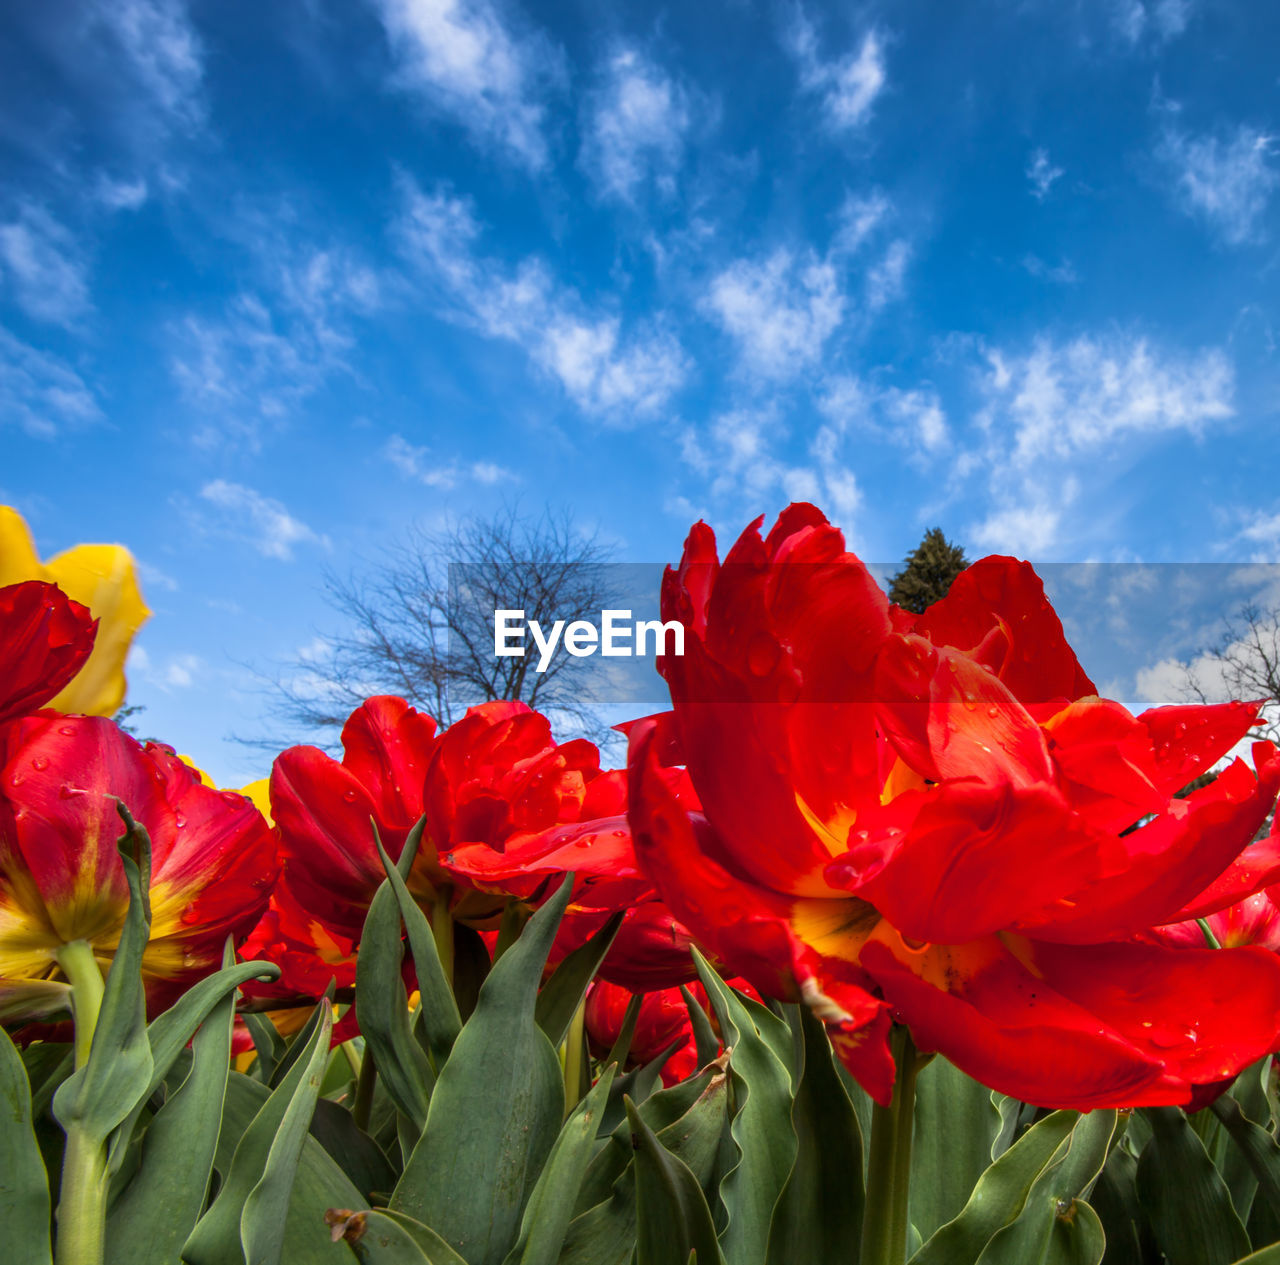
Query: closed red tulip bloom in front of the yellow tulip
pixel 45 640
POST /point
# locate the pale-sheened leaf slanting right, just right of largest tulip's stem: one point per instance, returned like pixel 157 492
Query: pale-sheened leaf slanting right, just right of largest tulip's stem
pixel 1000 1195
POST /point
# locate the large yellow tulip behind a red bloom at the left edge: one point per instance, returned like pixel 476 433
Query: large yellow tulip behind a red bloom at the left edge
pixel 100 577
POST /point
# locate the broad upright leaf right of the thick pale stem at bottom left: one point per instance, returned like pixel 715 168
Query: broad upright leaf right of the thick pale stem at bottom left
pixel 159 1208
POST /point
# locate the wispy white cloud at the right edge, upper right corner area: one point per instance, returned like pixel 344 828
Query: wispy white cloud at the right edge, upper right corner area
pixel 1228 184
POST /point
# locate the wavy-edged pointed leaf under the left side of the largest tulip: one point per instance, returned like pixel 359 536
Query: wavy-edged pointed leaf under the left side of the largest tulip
pixel 761 1131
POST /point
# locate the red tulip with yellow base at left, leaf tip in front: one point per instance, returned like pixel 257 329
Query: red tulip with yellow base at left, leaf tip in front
pixel 213 858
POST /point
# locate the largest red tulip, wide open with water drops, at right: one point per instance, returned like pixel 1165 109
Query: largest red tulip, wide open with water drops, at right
pixel 932 818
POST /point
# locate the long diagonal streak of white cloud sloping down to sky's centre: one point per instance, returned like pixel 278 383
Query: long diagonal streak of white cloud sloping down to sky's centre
pixel 604 372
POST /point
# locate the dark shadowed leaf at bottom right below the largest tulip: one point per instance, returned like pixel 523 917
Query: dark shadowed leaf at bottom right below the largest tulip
pixel 1186 1199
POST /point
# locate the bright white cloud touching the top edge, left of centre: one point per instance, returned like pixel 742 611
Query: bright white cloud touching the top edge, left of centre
pixel 463 58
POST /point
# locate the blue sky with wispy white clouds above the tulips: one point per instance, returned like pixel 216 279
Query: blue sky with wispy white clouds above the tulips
pixel 277 281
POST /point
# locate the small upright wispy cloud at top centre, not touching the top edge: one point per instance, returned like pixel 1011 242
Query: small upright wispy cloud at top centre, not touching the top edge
pixel 637 133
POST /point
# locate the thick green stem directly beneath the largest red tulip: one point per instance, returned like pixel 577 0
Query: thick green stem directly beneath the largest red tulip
pixel 889 1173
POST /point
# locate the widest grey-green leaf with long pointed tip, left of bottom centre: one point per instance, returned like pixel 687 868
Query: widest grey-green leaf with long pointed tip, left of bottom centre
pixel 496 1111
